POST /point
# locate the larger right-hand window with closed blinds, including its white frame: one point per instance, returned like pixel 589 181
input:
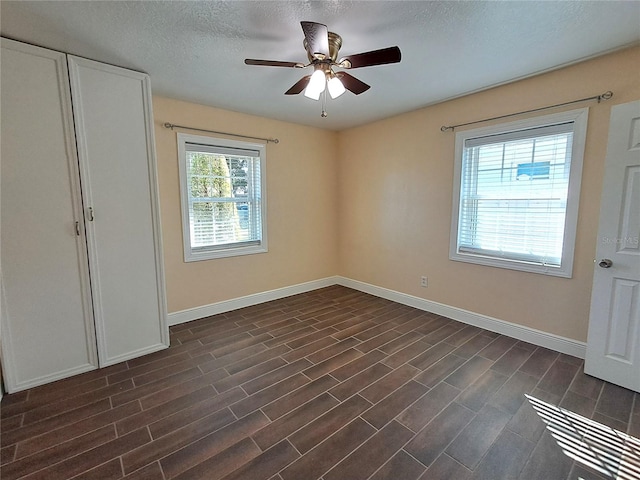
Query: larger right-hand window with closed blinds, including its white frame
pixel 516 193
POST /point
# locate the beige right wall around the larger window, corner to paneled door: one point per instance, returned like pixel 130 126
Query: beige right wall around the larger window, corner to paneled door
pixel 395 197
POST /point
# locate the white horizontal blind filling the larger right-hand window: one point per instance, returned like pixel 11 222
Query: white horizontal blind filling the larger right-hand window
pixel 513 196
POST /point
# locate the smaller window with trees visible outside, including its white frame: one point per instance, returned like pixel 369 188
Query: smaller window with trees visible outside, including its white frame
pixel 222 192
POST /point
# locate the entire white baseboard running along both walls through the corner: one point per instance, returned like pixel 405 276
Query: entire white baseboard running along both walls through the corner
pixel 527 334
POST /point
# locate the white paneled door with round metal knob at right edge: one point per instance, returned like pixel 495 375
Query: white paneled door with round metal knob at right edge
pixel 613 345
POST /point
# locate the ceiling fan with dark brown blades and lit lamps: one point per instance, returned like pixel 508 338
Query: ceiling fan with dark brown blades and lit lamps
pixel 322 49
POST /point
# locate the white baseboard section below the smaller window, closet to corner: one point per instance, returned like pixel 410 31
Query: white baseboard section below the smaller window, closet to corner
pixel 190 314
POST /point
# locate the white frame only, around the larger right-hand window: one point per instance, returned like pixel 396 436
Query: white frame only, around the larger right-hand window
pixel 579 119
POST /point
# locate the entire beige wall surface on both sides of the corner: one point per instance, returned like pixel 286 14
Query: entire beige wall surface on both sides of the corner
pixel 374 203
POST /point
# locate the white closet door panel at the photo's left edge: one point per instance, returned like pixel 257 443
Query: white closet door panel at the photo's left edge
pixel 47 324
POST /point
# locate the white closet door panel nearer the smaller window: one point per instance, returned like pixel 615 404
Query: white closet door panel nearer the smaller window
pixel 114 130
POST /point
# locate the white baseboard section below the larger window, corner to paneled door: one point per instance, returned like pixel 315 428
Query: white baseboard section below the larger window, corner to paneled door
pixel 520 332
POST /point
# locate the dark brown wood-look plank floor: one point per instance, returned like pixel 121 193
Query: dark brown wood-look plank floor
pixel 332 384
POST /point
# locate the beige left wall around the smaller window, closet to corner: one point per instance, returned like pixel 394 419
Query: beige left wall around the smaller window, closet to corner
pixel 301 209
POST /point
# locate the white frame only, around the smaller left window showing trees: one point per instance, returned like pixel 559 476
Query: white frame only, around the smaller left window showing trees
pixel 192 254
